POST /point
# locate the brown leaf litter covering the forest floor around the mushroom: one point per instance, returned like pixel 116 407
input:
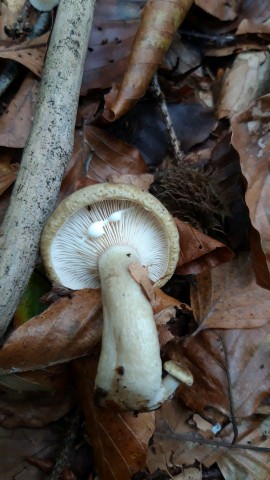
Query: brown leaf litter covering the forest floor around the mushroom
pixel 218 324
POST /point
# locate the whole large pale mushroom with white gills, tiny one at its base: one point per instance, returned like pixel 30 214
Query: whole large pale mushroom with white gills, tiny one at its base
pixel 91 240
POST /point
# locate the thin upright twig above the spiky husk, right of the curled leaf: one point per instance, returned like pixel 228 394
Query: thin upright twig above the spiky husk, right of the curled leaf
pixel 173 140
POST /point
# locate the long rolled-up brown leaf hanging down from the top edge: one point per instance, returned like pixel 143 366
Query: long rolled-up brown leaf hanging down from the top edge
pixel 152 41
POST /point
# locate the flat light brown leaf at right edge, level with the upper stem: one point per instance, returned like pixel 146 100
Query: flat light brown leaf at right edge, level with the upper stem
pixel 228 297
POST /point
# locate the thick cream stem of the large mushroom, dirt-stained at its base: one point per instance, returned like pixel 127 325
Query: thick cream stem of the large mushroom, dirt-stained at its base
pixel 129 371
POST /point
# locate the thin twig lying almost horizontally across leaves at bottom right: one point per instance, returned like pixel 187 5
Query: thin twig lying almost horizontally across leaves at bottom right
pixel 195 438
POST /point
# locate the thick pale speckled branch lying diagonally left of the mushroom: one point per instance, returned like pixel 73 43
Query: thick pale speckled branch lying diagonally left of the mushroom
pixel 46 154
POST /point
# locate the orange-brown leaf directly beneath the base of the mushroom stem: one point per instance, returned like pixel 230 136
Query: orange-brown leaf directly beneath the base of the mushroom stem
pixel 119 440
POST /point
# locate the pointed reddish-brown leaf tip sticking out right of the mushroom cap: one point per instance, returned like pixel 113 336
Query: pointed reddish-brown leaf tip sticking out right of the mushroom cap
pixel 199 252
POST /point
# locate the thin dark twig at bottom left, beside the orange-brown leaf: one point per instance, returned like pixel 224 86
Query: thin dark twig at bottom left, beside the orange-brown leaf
pixel 65 454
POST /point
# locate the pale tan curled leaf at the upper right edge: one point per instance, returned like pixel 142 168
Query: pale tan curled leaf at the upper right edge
pixel 247 79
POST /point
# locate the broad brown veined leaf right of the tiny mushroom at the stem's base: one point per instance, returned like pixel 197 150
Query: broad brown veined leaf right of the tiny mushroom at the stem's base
pixel 219 358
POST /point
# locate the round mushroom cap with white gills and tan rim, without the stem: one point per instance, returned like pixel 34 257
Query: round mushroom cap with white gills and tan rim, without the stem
pixel 71 257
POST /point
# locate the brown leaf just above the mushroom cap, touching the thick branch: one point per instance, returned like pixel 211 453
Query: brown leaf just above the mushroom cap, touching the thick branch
pixel 96 156
